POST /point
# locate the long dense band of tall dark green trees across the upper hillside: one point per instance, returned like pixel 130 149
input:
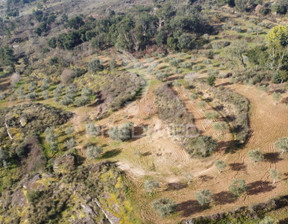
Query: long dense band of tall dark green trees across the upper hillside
pixel 178 29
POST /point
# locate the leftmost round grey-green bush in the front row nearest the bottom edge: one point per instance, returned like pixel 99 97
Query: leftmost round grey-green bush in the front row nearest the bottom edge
pixel 164 206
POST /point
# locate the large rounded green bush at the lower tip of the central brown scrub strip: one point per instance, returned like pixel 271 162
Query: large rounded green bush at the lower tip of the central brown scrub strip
pixel 201 146
